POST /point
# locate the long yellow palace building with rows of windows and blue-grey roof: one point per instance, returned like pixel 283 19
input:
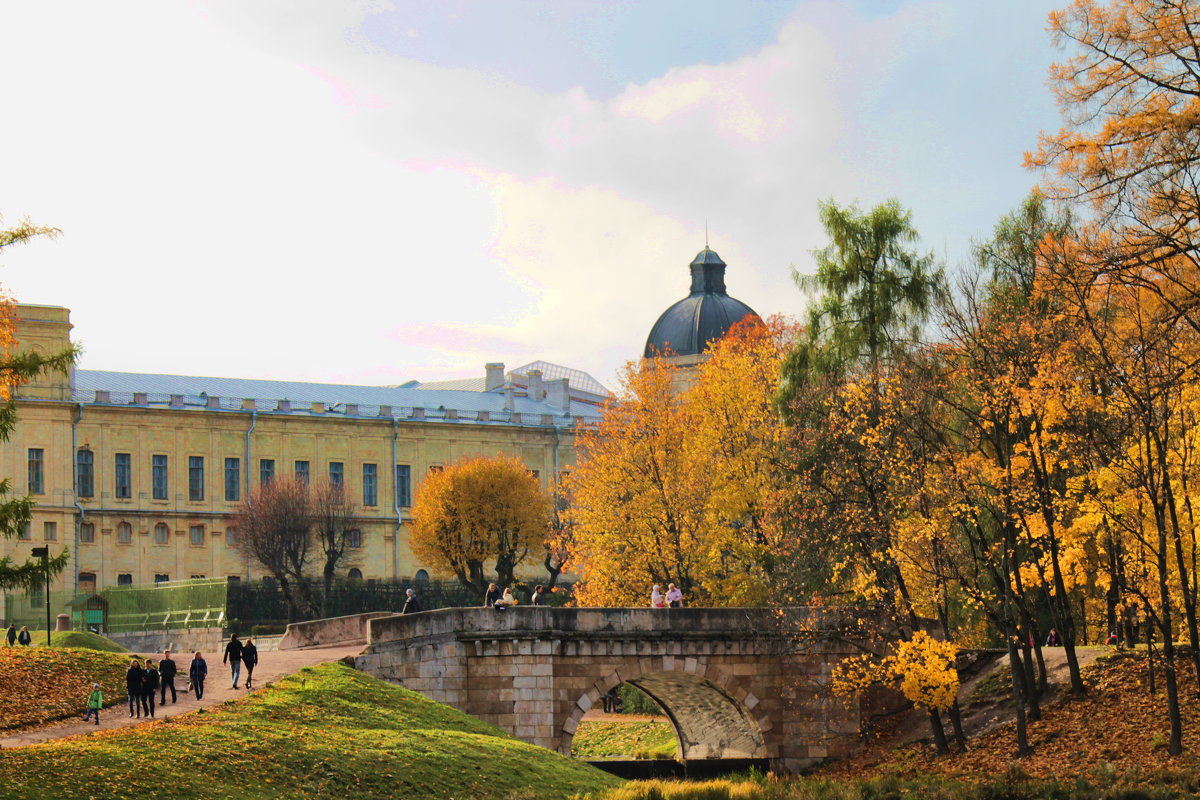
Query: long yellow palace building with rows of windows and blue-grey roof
pixel 140 477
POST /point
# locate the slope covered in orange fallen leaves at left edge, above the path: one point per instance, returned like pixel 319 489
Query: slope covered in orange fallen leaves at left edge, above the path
pixel 40 685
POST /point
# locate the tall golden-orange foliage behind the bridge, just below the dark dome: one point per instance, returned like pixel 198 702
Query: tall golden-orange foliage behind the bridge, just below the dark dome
pixel 674 486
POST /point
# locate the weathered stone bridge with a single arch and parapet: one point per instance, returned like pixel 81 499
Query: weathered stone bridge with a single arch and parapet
pixel 736 683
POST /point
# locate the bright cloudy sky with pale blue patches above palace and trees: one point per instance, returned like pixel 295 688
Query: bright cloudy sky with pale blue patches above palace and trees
pixel 371 193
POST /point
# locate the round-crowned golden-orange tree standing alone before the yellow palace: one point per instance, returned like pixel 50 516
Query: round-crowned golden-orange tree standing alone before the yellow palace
pixel 478 513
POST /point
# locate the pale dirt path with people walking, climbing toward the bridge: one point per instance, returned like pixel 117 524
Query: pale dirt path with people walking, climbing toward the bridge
pixel 272 666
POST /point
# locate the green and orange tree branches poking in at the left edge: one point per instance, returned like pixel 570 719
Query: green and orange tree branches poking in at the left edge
pixel 19 368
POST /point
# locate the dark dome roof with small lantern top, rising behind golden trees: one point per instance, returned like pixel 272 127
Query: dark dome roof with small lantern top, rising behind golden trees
pixel 706 315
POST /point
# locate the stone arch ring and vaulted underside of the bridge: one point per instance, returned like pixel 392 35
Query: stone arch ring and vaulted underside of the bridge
pixel 712 713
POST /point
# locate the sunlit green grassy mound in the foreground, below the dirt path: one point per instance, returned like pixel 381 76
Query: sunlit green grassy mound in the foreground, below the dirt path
pixel 327 732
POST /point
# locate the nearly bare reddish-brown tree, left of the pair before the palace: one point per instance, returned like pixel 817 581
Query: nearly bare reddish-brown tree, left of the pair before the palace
pixel 275 524
